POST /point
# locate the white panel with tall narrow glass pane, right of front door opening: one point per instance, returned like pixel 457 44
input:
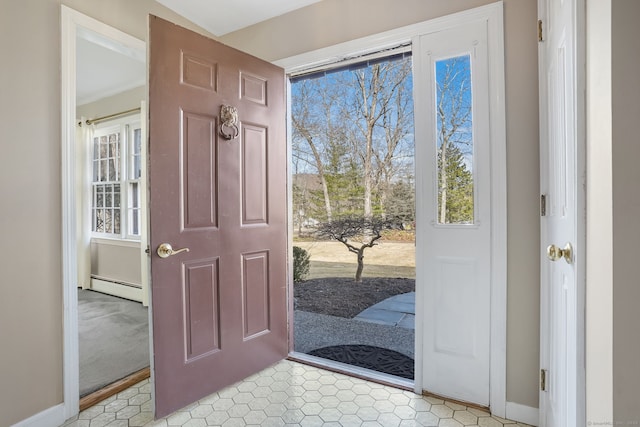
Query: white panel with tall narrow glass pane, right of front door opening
pixel 454 218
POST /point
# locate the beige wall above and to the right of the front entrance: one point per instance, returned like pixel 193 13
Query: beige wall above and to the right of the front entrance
pixel 334 21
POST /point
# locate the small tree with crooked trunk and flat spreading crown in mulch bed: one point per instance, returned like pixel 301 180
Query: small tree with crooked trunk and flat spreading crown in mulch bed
pixel 357 233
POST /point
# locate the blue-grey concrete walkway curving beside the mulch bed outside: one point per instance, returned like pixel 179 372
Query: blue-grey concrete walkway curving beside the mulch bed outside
pixel 398 310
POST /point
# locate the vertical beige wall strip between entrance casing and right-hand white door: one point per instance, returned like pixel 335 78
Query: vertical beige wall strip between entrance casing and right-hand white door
pixel 523 193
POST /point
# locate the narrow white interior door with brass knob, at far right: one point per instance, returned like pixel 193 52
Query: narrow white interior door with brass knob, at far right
pixel 559 296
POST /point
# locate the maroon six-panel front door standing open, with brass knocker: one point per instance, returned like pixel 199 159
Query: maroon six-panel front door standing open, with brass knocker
pixel 219 309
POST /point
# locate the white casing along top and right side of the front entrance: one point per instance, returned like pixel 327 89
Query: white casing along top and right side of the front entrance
pixel 493 14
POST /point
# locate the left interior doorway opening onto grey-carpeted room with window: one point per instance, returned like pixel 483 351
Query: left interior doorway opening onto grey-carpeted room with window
pixel 106 292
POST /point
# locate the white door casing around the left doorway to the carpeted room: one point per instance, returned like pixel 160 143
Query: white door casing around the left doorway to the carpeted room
pixel 73 22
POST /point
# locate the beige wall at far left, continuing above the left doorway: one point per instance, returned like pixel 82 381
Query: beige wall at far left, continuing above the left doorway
pixel 30 221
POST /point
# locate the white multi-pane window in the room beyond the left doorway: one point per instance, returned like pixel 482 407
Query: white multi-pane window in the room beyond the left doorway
pixel 115 189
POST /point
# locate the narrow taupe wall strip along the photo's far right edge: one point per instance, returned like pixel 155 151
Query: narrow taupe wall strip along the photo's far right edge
pixel 625 60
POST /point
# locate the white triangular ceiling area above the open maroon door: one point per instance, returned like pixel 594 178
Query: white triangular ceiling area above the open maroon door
pixel 220 17
